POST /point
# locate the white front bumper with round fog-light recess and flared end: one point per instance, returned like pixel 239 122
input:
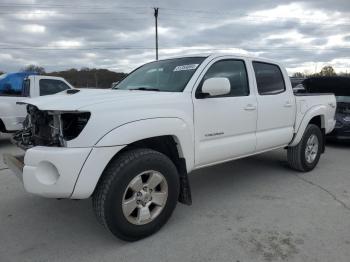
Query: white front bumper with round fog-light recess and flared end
pixel 57 172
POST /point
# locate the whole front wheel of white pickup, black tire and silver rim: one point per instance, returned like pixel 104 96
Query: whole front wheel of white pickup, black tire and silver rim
pixel 137 194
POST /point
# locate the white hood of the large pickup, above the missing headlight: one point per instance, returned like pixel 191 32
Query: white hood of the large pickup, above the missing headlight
pixel 64 101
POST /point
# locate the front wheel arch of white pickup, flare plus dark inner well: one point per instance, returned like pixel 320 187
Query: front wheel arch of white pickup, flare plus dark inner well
pixel 173 138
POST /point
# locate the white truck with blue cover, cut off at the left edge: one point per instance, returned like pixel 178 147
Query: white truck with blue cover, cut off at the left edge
pixel 13 89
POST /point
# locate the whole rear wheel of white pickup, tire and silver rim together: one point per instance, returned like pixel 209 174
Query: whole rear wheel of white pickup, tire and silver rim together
pixel 305 156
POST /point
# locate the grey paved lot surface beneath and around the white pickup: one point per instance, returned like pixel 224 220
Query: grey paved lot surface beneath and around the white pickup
pixel 253 209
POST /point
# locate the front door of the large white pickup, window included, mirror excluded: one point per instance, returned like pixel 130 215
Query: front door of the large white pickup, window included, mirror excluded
pixel 225 125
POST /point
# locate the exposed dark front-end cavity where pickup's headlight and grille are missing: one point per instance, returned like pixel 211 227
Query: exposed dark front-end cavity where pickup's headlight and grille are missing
pixel 50 128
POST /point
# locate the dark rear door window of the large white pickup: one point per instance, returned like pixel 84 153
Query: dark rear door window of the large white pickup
pixel 269 78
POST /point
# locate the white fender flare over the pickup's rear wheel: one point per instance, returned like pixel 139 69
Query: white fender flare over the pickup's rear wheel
pixel 319 110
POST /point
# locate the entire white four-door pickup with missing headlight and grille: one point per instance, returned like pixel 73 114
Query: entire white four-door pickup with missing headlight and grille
pixel 130 148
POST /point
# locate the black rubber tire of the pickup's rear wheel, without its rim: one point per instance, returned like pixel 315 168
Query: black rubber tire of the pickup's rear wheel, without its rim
pixel 296 155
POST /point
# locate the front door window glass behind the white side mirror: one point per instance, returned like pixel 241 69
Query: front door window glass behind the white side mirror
pixel 235 71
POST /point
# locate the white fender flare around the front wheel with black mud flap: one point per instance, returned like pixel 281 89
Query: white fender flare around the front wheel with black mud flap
pixel 116 139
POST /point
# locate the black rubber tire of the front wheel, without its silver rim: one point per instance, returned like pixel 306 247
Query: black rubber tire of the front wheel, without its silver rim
pixel 109 194
